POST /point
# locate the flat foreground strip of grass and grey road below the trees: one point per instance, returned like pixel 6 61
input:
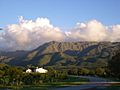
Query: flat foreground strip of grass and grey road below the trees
pixel 94 83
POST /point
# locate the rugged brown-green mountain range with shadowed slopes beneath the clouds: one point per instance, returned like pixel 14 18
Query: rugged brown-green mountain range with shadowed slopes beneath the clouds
pixel 82 54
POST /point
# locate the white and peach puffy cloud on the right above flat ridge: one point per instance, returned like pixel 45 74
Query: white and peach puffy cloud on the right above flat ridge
pixel 94 31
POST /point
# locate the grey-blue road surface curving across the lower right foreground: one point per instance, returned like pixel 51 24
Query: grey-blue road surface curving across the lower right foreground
pixel 96 83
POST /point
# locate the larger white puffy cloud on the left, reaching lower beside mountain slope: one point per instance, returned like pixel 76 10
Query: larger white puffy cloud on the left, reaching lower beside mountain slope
pixel 28 34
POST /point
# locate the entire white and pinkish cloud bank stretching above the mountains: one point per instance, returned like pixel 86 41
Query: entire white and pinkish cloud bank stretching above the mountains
pixel 29 34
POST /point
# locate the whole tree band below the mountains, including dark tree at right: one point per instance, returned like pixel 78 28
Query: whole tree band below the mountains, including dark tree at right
pixel 13 75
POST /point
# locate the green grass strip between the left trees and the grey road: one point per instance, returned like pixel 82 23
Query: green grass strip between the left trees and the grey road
pixel 45 86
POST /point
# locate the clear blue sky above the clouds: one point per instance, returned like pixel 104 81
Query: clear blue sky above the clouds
pixel 62 13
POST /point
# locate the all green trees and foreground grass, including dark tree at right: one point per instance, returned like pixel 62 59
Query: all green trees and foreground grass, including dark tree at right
pixel 13 76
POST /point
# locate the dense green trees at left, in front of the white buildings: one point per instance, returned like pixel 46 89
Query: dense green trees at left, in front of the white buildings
pixel 16 76
